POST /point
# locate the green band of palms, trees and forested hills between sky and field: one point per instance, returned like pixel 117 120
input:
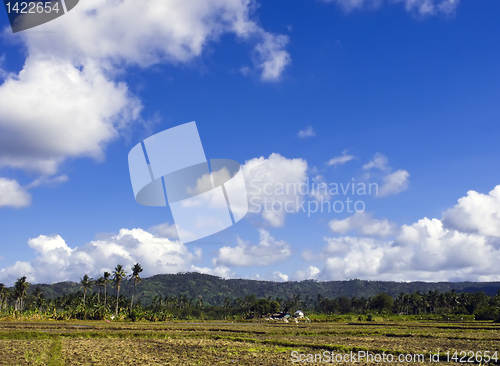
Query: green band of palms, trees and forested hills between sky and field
pixel 197 296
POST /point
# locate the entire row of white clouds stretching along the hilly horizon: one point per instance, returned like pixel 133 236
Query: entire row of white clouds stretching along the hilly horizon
pixel 427 250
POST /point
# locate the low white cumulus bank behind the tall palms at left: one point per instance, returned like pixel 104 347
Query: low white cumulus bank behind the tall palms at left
pixel 56 261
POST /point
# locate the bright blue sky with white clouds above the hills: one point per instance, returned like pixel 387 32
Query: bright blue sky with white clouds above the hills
pixel 406 91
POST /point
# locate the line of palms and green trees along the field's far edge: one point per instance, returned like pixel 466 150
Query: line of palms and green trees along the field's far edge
pixel 93 301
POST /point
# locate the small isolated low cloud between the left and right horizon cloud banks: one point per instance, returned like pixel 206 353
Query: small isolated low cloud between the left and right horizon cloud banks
pixel 267 252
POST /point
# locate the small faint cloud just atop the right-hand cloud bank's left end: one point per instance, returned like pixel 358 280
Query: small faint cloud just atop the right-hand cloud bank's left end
pixel 364 223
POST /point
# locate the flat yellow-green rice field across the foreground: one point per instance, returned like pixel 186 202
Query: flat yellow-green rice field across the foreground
pixel 250 343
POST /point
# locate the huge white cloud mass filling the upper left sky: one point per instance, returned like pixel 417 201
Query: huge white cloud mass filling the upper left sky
pixel 75 108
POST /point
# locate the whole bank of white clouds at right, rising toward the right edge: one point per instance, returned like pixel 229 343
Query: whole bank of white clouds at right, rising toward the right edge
pixel 464 245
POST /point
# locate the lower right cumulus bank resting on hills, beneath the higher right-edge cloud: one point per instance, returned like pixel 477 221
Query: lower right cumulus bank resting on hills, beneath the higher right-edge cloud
pixel 423 251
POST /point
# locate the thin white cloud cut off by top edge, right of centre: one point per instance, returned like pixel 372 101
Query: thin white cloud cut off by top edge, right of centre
pixel 421 7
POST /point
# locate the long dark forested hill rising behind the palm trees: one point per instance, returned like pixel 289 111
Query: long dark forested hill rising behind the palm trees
pixel 214 290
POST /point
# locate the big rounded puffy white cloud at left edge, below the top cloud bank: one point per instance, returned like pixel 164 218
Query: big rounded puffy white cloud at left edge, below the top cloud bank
pixel 72 112
